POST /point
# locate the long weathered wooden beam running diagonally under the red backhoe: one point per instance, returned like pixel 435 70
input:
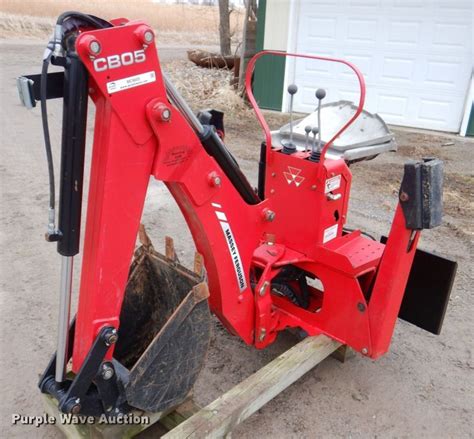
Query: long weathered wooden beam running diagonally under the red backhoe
pixel 219 418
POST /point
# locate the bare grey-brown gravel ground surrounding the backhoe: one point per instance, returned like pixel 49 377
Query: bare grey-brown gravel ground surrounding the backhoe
pixel 422 388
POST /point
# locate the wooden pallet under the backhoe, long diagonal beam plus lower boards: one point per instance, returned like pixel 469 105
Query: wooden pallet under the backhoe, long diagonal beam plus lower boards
pixel 222 415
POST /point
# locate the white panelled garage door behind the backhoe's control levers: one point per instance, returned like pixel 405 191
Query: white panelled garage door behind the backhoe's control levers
pixel 416 56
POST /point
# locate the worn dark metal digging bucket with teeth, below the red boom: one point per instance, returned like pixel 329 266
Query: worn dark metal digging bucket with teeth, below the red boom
pixel 164 329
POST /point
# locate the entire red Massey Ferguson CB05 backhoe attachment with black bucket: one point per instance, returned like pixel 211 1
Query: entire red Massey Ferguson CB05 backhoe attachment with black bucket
pixel 276 257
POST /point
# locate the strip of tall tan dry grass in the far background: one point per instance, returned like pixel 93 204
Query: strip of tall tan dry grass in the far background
pixel 173 23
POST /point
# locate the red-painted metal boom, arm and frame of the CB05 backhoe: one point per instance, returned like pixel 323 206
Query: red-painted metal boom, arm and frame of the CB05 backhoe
pixel 243 246
